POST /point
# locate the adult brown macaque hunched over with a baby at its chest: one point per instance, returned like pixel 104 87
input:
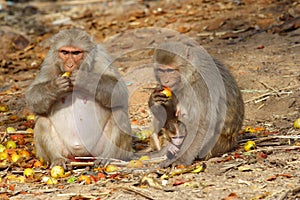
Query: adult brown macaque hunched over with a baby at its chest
pixel 209 103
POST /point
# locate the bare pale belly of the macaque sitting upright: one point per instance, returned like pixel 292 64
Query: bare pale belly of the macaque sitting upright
pixel 79 122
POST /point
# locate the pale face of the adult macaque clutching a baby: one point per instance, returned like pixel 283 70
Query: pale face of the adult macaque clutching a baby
pixel 169 76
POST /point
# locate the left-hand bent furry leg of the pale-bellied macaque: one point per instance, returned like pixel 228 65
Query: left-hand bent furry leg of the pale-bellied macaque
pixel 48 144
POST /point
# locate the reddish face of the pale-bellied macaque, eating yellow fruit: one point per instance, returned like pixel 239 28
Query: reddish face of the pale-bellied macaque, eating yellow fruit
pixel 71 57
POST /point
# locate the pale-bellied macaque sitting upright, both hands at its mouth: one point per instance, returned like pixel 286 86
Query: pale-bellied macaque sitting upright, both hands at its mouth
pixel 83 112
